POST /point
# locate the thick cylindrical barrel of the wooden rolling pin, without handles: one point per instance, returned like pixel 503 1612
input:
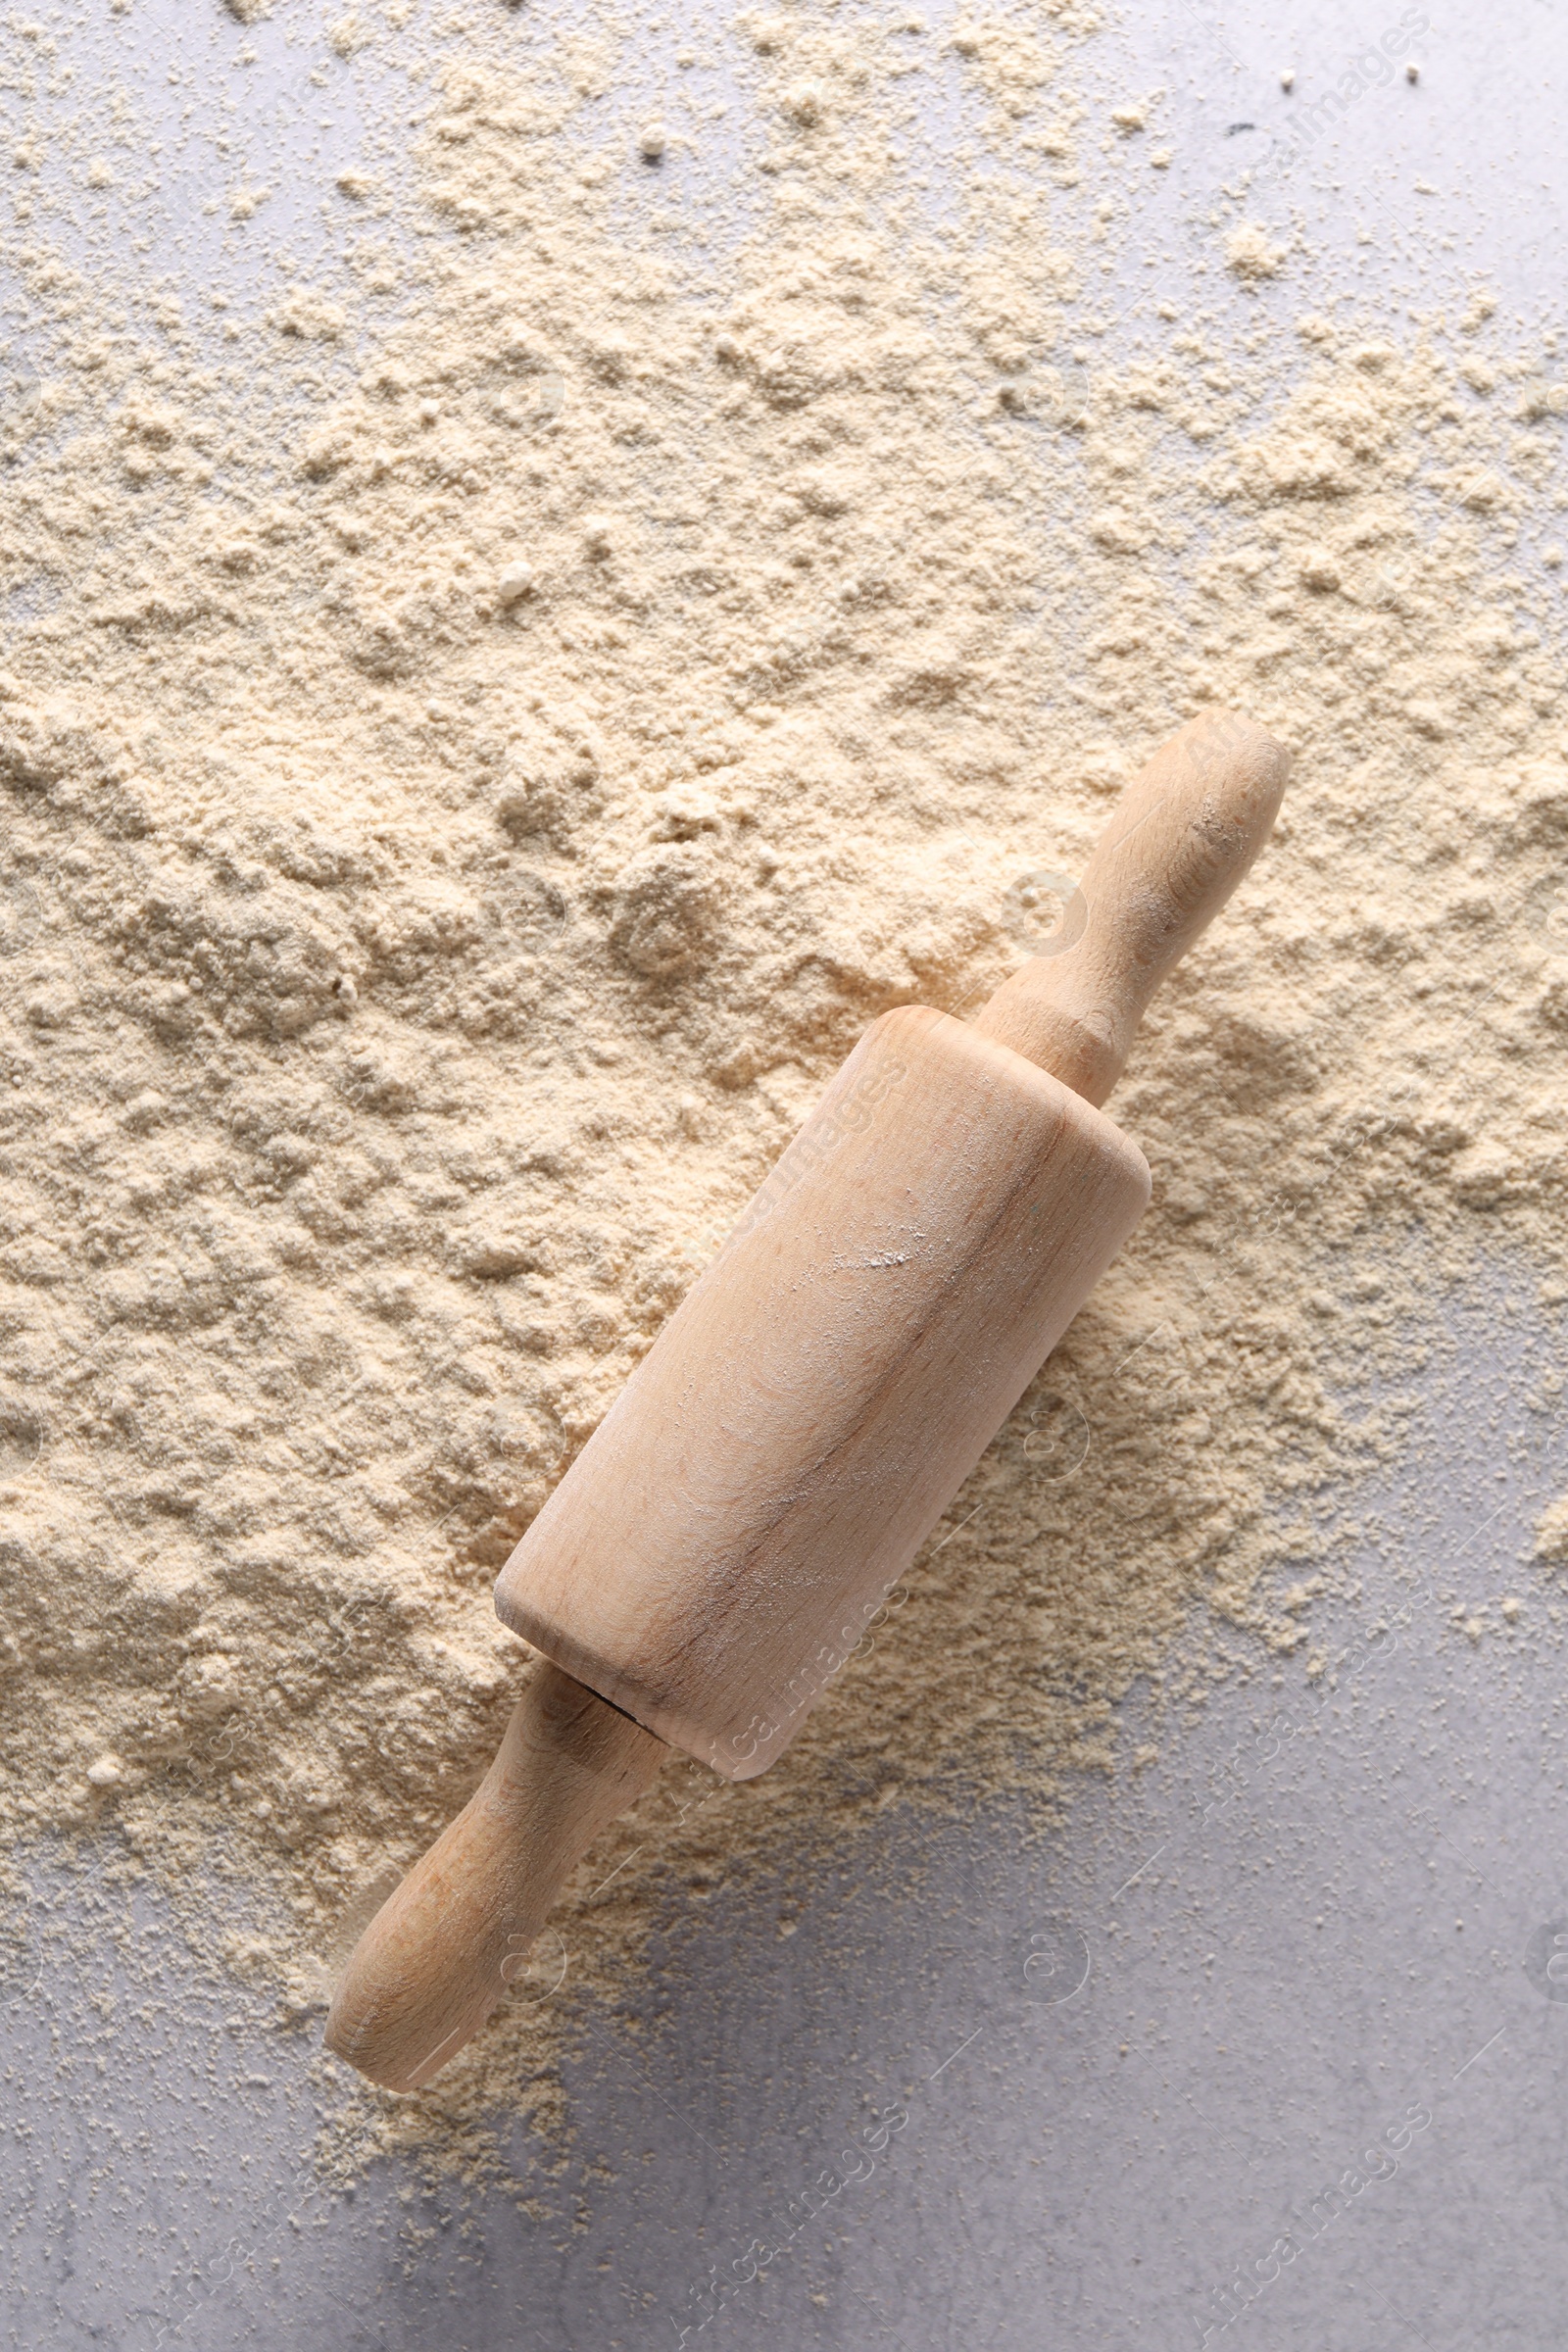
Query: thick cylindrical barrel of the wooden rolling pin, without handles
pixel 824 1391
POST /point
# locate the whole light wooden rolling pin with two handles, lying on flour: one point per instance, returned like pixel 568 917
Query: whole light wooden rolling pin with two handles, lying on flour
pixel 815 1403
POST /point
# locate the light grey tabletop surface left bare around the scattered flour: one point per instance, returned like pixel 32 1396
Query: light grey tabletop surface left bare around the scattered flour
pixel 1132 2059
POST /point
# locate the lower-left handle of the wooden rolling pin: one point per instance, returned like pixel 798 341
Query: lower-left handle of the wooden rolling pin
pixel 448 1944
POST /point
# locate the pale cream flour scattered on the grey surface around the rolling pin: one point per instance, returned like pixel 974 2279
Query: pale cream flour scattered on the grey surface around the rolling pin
pixel 370 911
